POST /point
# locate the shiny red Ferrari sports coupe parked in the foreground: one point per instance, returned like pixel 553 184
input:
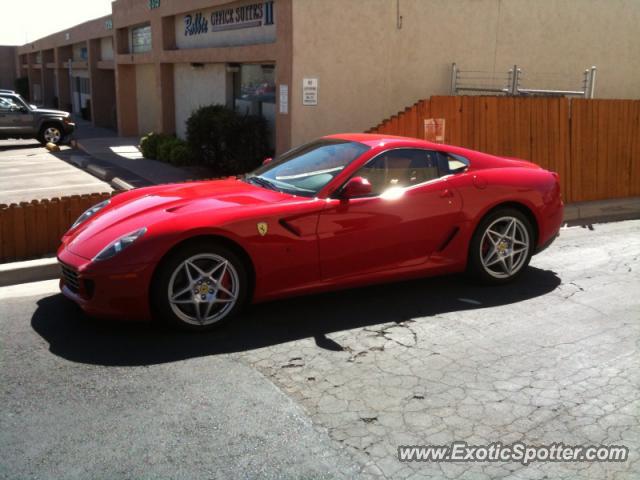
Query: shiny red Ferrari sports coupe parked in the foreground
pixel 343 211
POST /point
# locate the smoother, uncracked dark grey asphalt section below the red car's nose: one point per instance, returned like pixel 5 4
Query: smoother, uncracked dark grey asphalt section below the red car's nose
pixel 151 416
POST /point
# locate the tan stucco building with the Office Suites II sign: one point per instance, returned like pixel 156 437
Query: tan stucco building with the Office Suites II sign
pixel 313 67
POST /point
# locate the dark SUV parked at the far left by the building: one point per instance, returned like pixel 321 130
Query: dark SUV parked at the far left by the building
pixel 18 119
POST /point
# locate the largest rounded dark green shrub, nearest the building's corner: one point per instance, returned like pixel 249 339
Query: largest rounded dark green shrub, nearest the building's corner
pixel 227 141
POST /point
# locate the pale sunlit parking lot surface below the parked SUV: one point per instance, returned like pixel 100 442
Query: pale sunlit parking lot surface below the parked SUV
pixel 28 171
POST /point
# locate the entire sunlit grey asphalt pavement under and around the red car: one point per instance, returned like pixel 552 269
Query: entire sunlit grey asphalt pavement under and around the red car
pixel 332 384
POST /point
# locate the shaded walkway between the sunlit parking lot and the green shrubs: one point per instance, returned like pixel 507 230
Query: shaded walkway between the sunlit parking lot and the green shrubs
pixel 118 160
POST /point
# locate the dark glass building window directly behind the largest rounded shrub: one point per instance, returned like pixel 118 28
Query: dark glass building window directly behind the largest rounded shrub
pixel 254 93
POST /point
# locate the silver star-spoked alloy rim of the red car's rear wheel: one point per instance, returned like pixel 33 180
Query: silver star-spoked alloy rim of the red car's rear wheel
pixel 504 247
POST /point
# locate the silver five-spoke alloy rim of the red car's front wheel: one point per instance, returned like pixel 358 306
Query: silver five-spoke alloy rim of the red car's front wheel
pixel 203 289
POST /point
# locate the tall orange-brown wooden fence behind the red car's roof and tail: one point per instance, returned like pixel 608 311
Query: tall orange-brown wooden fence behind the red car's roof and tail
pixel 593 144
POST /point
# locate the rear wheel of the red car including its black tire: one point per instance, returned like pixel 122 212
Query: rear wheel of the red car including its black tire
pixel 479 248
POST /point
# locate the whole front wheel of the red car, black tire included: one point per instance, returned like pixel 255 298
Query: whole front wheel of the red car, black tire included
pixel 199 287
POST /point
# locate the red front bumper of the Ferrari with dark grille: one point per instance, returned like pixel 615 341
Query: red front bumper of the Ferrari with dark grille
pixel 107 291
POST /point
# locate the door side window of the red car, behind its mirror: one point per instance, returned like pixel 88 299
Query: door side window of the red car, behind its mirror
pixel 400 168
